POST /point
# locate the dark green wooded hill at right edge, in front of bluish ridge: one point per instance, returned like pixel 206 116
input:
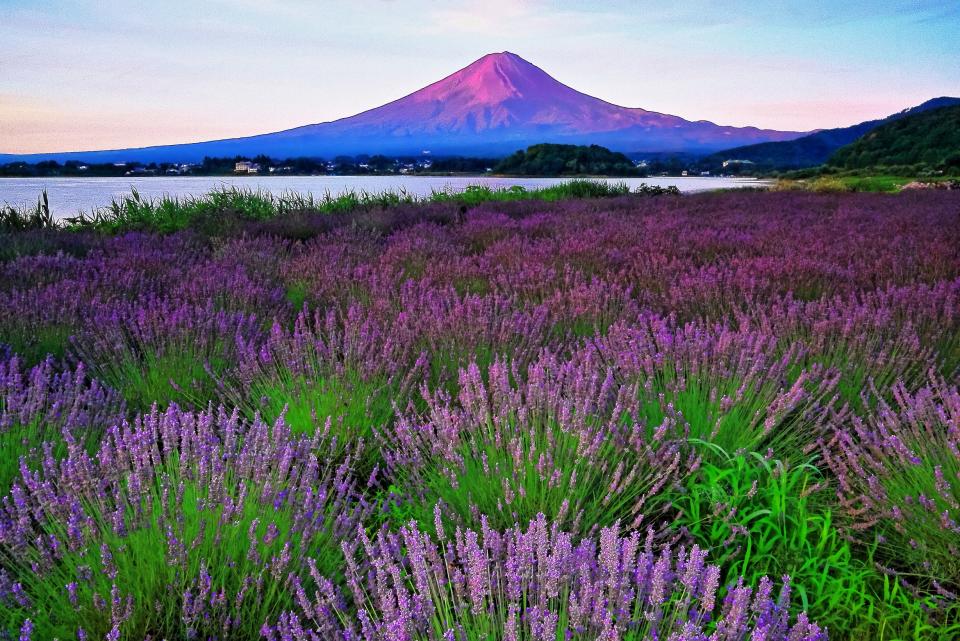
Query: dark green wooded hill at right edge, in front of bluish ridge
pixel 930 139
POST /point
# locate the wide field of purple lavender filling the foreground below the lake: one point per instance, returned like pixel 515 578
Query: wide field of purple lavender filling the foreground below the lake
pixel 726 416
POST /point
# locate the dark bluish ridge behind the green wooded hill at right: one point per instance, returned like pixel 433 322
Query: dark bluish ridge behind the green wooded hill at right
pixel 816 148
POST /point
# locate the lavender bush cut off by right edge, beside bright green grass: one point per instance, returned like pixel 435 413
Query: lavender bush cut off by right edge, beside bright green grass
pixel 898 475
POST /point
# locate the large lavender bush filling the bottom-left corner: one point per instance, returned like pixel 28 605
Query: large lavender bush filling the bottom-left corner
pixel 183 525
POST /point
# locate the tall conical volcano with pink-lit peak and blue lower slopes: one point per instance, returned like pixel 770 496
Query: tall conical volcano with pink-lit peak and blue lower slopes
pixel 494 106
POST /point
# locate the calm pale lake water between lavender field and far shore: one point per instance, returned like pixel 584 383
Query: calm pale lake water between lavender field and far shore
pixel 68 196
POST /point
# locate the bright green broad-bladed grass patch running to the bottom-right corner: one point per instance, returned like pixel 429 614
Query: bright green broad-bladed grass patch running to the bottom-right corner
pixel 760 517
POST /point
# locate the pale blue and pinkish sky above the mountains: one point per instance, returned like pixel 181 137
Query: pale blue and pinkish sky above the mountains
pixel 106 74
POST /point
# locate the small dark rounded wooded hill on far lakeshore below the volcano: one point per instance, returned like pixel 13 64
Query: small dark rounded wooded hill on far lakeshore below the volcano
pixel 560 160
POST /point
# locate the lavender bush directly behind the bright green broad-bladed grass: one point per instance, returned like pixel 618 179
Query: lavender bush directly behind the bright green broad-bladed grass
pixel 728 388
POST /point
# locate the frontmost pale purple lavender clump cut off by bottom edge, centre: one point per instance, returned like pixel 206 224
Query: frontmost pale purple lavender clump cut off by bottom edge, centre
pixel 540 583
